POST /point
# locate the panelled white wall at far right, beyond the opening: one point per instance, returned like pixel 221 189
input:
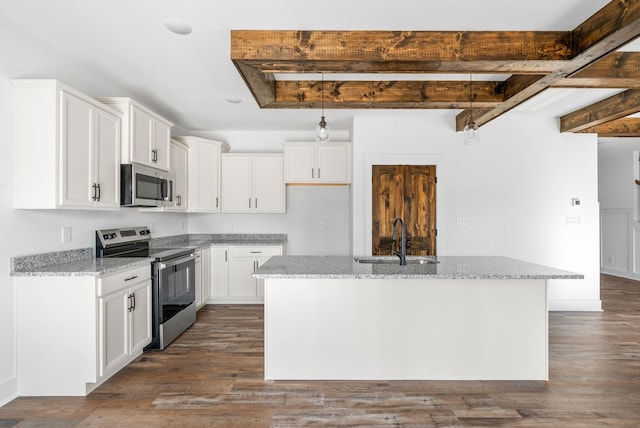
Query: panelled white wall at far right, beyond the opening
pixel 618 168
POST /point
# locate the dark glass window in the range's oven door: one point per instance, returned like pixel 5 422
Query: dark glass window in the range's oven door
pixel 176 289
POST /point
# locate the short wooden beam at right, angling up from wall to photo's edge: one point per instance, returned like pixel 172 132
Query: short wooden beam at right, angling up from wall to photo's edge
pixel 612 108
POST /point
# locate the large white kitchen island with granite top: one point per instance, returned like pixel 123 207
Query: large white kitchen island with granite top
pixel 462 318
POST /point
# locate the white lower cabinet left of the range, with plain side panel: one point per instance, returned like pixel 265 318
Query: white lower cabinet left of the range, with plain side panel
pixel 74 332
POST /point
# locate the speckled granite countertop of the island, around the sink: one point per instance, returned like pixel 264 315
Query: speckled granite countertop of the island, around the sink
pixel 448 267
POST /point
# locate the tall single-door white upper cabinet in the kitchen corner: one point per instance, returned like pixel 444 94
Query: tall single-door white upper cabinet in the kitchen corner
pixel 203 173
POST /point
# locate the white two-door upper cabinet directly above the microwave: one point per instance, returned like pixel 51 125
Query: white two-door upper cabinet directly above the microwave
pixel 146 136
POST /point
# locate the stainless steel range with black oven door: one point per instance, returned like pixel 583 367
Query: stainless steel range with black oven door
pixel 173 279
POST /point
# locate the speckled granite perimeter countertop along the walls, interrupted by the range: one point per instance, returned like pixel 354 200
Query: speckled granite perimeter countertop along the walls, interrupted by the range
pixel 82 262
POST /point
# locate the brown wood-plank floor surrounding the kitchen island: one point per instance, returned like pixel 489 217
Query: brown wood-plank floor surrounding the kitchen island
pixel 212 376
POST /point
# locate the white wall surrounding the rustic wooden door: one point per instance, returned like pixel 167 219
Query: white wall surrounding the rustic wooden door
pixel 515 189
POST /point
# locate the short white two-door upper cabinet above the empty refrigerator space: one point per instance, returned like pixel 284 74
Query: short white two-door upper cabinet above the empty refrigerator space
pixel 317 162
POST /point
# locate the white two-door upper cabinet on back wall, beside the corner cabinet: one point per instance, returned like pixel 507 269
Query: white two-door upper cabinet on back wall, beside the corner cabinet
pixel 253 183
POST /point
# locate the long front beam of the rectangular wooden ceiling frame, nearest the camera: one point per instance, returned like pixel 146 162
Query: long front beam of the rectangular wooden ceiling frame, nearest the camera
pixel 296 47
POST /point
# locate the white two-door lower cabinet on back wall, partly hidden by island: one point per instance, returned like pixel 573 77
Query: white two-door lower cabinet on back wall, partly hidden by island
pixel 231 273
